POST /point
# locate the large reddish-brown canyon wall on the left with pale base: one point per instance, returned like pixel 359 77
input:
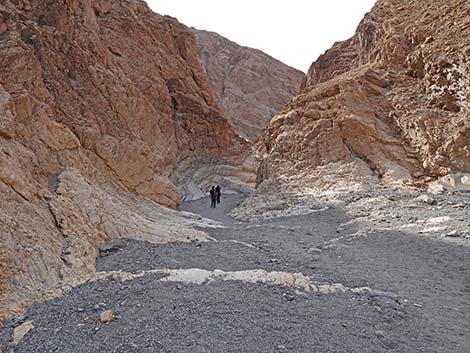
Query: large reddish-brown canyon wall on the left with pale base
pixel 102 103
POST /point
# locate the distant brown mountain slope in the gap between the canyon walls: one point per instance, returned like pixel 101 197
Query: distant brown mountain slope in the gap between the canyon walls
pixel 249 85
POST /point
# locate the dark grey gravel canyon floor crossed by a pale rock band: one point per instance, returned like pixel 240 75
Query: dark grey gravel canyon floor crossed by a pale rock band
pixel 296 284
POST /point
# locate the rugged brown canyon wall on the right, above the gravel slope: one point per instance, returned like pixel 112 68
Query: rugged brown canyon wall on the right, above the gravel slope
pixel 390 104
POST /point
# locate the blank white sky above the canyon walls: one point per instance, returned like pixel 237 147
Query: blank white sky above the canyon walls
pixel 295 31
